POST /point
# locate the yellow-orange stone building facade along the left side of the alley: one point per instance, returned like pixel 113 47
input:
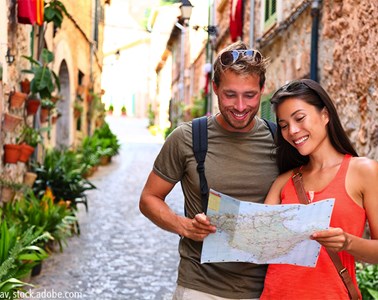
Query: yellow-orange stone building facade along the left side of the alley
pixel 77 49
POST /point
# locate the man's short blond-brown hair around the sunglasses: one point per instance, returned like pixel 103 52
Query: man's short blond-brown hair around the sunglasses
pixel 244 65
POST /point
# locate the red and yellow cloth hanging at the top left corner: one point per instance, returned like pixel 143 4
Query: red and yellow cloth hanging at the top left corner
pixel 30 12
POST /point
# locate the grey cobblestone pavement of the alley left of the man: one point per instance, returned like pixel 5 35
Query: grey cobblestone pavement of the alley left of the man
pixel 120 254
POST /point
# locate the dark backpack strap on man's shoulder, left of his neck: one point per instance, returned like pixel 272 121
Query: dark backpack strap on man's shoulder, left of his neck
pixel 199 137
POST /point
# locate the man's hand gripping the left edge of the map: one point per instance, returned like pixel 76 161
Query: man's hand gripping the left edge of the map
pixel 198 228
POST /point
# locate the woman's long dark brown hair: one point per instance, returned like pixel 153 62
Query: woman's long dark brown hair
pixel 311 92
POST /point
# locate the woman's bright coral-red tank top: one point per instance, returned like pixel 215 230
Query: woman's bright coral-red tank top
pixel 285 281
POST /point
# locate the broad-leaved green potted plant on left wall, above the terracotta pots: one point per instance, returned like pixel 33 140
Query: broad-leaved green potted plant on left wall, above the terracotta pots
pixel 45 80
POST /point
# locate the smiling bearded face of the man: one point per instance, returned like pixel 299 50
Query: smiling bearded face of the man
pixel 238 100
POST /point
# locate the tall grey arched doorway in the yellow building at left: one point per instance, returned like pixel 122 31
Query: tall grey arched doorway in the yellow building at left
pixel 63 124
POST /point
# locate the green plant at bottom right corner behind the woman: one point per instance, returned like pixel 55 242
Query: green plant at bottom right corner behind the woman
pixel 367 278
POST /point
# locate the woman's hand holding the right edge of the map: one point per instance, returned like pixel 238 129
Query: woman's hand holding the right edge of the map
pixel 334 239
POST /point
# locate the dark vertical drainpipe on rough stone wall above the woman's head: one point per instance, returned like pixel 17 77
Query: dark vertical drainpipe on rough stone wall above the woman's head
pixel 315 9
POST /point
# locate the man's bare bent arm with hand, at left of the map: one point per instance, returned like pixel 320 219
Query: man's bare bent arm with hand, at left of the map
pixel 153 206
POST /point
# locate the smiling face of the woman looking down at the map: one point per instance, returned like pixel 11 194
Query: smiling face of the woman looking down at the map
pixel 302 125
